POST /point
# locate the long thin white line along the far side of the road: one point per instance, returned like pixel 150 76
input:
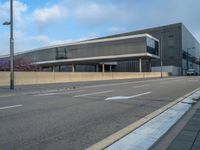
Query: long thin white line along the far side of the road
pixel 124 83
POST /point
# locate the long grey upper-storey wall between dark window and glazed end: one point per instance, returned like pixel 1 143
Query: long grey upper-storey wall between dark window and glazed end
pixel 118 47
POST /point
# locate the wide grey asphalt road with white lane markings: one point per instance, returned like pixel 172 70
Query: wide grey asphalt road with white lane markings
pixel 84 114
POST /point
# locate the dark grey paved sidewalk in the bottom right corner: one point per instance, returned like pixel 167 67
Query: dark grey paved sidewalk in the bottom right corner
pixel 189 137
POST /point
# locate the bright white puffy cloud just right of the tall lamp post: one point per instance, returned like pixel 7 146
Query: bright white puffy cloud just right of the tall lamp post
pixel 46 15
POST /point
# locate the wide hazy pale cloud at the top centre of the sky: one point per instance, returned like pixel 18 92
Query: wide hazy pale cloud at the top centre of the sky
pixel 92 13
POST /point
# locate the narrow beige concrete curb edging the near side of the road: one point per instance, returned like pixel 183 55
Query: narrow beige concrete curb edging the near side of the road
pixel 120 134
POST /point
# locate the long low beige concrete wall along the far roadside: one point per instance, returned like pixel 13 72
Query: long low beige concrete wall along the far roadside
pixel 25 78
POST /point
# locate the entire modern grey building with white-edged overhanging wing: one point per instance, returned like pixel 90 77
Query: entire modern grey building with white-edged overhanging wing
pixel 135 51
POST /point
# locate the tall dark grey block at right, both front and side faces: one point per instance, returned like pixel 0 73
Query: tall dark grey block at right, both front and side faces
pixel 180 49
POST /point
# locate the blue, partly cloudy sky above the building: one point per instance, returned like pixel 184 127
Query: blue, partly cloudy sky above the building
pixel 40 23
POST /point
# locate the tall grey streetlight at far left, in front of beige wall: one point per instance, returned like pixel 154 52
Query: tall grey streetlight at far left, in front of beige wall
pixel 11 45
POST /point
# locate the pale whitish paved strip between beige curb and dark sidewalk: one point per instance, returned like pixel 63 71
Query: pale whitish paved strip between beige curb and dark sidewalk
pixel 150 132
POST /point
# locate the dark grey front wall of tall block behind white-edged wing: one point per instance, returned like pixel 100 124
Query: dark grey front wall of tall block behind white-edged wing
pixel 170 37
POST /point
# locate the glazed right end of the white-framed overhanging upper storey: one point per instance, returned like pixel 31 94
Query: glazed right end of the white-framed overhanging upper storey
pixel 152 46
